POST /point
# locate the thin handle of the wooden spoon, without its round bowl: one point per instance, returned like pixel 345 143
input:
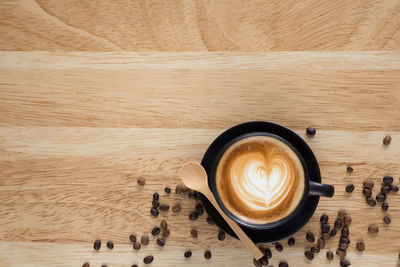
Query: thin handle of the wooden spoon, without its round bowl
pixel 255 252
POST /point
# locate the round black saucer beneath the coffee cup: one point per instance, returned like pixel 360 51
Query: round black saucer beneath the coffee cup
pixel 290 227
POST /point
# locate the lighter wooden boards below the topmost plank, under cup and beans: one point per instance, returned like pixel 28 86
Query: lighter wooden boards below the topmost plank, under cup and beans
pixel 78 129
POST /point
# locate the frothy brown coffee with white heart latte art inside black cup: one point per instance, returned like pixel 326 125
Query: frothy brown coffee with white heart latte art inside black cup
pixel 260 179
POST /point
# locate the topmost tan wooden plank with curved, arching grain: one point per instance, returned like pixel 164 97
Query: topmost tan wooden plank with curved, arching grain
pixel 173 25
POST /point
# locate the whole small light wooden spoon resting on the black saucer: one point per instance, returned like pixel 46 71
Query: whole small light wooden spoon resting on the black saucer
pixel 194 176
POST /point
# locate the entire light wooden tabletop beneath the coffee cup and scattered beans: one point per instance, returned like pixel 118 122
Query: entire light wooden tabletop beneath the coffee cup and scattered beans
pixel 95 95
